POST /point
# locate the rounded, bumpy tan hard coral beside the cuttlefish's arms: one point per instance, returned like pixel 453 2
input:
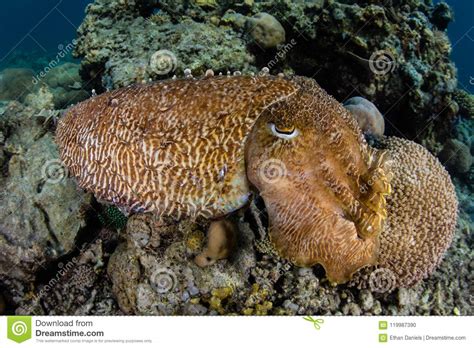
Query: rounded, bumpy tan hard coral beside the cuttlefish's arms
pixel 421 213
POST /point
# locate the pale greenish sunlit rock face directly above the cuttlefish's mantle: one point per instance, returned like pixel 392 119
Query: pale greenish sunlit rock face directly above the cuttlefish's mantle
pixel 194 45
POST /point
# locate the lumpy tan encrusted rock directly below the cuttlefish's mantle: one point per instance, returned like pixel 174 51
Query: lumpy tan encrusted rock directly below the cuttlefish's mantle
pixel 159 277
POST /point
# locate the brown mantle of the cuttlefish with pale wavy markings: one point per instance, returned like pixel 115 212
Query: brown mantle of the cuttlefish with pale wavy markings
pixel 174 148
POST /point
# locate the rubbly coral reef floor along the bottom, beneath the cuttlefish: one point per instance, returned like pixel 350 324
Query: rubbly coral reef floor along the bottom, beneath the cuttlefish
pixel 253 281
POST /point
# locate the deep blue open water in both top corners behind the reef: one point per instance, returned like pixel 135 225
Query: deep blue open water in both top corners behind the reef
pixel 37 27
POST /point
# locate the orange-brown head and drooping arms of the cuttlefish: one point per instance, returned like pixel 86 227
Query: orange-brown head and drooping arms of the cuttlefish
pixel 318 211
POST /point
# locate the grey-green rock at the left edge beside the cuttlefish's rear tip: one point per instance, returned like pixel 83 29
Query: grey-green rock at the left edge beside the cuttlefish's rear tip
pixel 41 210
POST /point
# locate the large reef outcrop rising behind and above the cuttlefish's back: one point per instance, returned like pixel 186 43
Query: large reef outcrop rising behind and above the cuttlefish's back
pixel 395 54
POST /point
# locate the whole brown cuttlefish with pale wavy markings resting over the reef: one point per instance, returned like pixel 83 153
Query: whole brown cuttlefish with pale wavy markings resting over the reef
pixel 198 148
